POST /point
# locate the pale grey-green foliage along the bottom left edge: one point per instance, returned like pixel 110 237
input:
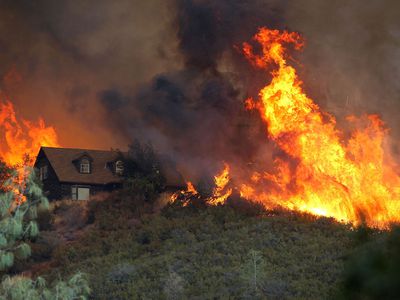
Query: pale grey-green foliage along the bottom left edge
pixel 21 288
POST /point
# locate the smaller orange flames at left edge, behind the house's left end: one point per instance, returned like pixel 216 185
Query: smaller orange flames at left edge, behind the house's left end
pixel 22 139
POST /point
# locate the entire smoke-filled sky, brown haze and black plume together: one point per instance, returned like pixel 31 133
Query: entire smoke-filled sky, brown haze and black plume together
pixel 170 72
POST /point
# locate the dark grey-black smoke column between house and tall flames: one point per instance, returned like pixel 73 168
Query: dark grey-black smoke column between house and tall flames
pixel 195 113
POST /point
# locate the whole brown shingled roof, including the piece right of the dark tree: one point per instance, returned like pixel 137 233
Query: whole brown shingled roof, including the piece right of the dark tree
pixel 61 159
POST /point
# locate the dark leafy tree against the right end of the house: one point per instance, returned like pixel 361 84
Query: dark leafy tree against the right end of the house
pixel 143 171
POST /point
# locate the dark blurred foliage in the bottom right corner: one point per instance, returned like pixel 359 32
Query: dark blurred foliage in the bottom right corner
pixel 373 271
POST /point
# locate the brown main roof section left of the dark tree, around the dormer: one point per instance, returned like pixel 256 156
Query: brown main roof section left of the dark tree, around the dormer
pixel 61 159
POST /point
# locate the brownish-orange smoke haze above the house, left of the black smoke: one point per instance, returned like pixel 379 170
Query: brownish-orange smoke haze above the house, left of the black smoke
pixel 62 53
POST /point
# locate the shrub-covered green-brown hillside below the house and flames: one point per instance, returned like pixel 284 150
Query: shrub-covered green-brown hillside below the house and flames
pixel 205 253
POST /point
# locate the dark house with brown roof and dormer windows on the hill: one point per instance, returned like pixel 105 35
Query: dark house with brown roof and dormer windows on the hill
pixel 79 173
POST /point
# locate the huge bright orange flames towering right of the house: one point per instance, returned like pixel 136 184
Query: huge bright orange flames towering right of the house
pixel 353 181
